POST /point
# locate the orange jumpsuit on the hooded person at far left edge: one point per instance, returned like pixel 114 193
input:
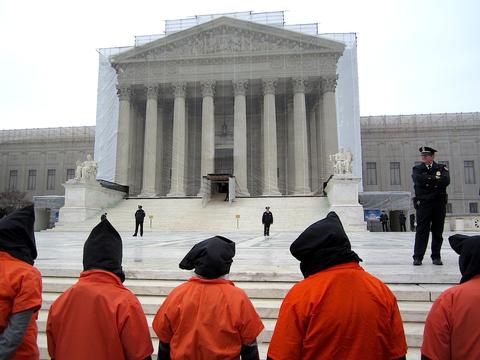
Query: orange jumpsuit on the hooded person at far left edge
pixel 20 290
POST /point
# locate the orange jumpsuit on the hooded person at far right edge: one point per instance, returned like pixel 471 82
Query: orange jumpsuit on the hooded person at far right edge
pixel 452 326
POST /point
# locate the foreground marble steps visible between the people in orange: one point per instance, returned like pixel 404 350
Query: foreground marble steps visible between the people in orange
pixel 151 289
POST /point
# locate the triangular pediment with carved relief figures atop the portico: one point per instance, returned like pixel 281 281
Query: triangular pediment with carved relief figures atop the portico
pixel 228 36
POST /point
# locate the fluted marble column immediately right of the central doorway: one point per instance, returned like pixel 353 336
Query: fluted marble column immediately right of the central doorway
pixel 240 138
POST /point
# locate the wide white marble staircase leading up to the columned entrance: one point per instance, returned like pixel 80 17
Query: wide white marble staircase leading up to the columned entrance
pixel 188 214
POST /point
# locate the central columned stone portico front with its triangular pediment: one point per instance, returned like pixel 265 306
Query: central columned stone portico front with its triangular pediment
pixel 227 96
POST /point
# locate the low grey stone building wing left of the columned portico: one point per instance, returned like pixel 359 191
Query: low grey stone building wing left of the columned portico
pixel 39 161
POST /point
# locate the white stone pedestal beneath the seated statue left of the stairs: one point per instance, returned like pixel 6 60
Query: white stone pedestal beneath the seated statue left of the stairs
pixel 84 200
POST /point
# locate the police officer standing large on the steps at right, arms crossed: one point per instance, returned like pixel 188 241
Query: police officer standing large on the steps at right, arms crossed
pixel 430 181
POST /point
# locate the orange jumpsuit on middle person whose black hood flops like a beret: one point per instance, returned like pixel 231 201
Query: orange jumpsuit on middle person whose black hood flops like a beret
pixel 206 319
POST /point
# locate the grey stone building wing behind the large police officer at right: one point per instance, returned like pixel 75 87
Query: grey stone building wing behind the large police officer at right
pixel 390 150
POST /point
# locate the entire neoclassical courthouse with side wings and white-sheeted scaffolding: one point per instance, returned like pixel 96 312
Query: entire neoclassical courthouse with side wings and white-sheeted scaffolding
pixel 244 95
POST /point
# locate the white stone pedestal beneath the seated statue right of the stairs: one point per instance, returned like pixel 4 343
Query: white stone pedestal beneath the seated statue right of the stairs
pixel 342 193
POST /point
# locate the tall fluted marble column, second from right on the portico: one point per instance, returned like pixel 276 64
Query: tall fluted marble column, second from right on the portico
pixel 302 176
